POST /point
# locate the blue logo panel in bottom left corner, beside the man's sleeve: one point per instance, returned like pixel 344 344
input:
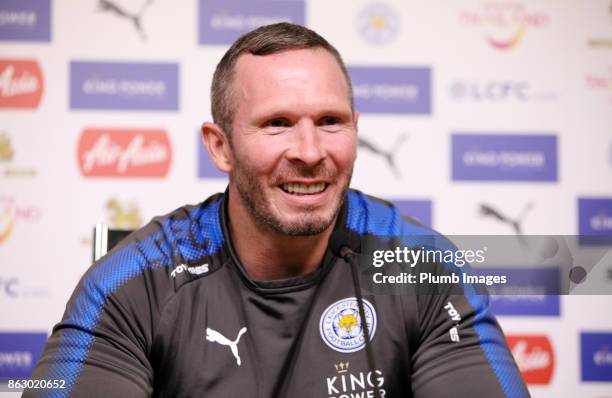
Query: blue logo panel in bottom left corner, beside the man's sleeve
pixel 19 352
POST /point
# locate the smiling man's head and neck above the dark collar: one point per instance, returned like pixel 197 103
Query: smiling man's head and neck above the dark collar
pixel 289 145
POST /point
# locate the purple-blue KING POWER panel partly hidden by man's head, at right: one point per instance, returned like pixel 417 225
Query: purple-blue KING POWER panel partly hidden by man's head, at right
pixel 392 90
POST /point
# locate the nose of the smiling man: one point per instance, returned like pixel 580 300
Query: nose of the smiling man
pixel 307 145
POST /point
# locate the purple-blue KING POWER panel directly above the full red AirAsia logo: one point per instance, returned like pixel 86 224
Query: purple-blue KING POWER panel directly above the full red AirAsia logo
pixel 124 86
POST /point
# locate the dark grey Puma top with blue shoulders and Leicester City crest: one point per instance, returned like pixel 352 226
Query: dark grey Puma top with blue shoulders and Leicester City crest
pixel 171 312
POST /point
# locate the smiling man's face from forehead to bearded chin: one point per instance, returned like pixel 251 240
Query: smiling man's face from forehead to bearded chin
pixel 294 139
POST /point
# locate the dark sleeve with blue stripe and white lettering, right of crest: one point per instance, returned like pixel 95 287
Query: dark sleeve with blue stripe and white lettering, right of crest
pixel 462 350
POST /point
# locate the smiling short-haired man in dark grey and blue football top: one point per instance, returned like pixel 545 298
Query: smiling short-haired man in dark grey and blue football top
pixel 240 296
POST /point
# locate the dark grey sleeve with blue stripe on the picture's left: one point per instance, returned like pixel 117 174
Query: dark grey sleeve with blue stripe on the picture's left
pixel 101 346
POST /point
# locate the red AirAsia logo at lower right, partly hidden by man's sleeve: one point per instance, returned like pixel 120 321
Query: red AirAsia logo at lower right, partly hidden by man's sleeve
pixel 534 357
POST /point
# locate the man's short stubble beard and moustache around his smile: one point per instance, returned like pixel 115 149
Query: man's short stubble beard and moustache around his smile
pixel 260 208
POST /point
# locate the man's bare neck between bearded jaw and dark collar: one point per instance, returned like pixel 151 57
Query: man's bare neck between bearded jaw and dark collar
pixel 267 254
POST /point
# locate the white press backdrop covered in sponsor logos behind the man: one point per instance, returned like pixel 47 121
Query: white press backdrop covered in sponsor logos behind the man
pixel 465 106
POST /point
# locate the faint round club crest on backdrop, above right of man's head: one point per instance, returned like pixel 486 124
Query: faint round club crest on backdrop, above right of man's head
pixel 378 23
